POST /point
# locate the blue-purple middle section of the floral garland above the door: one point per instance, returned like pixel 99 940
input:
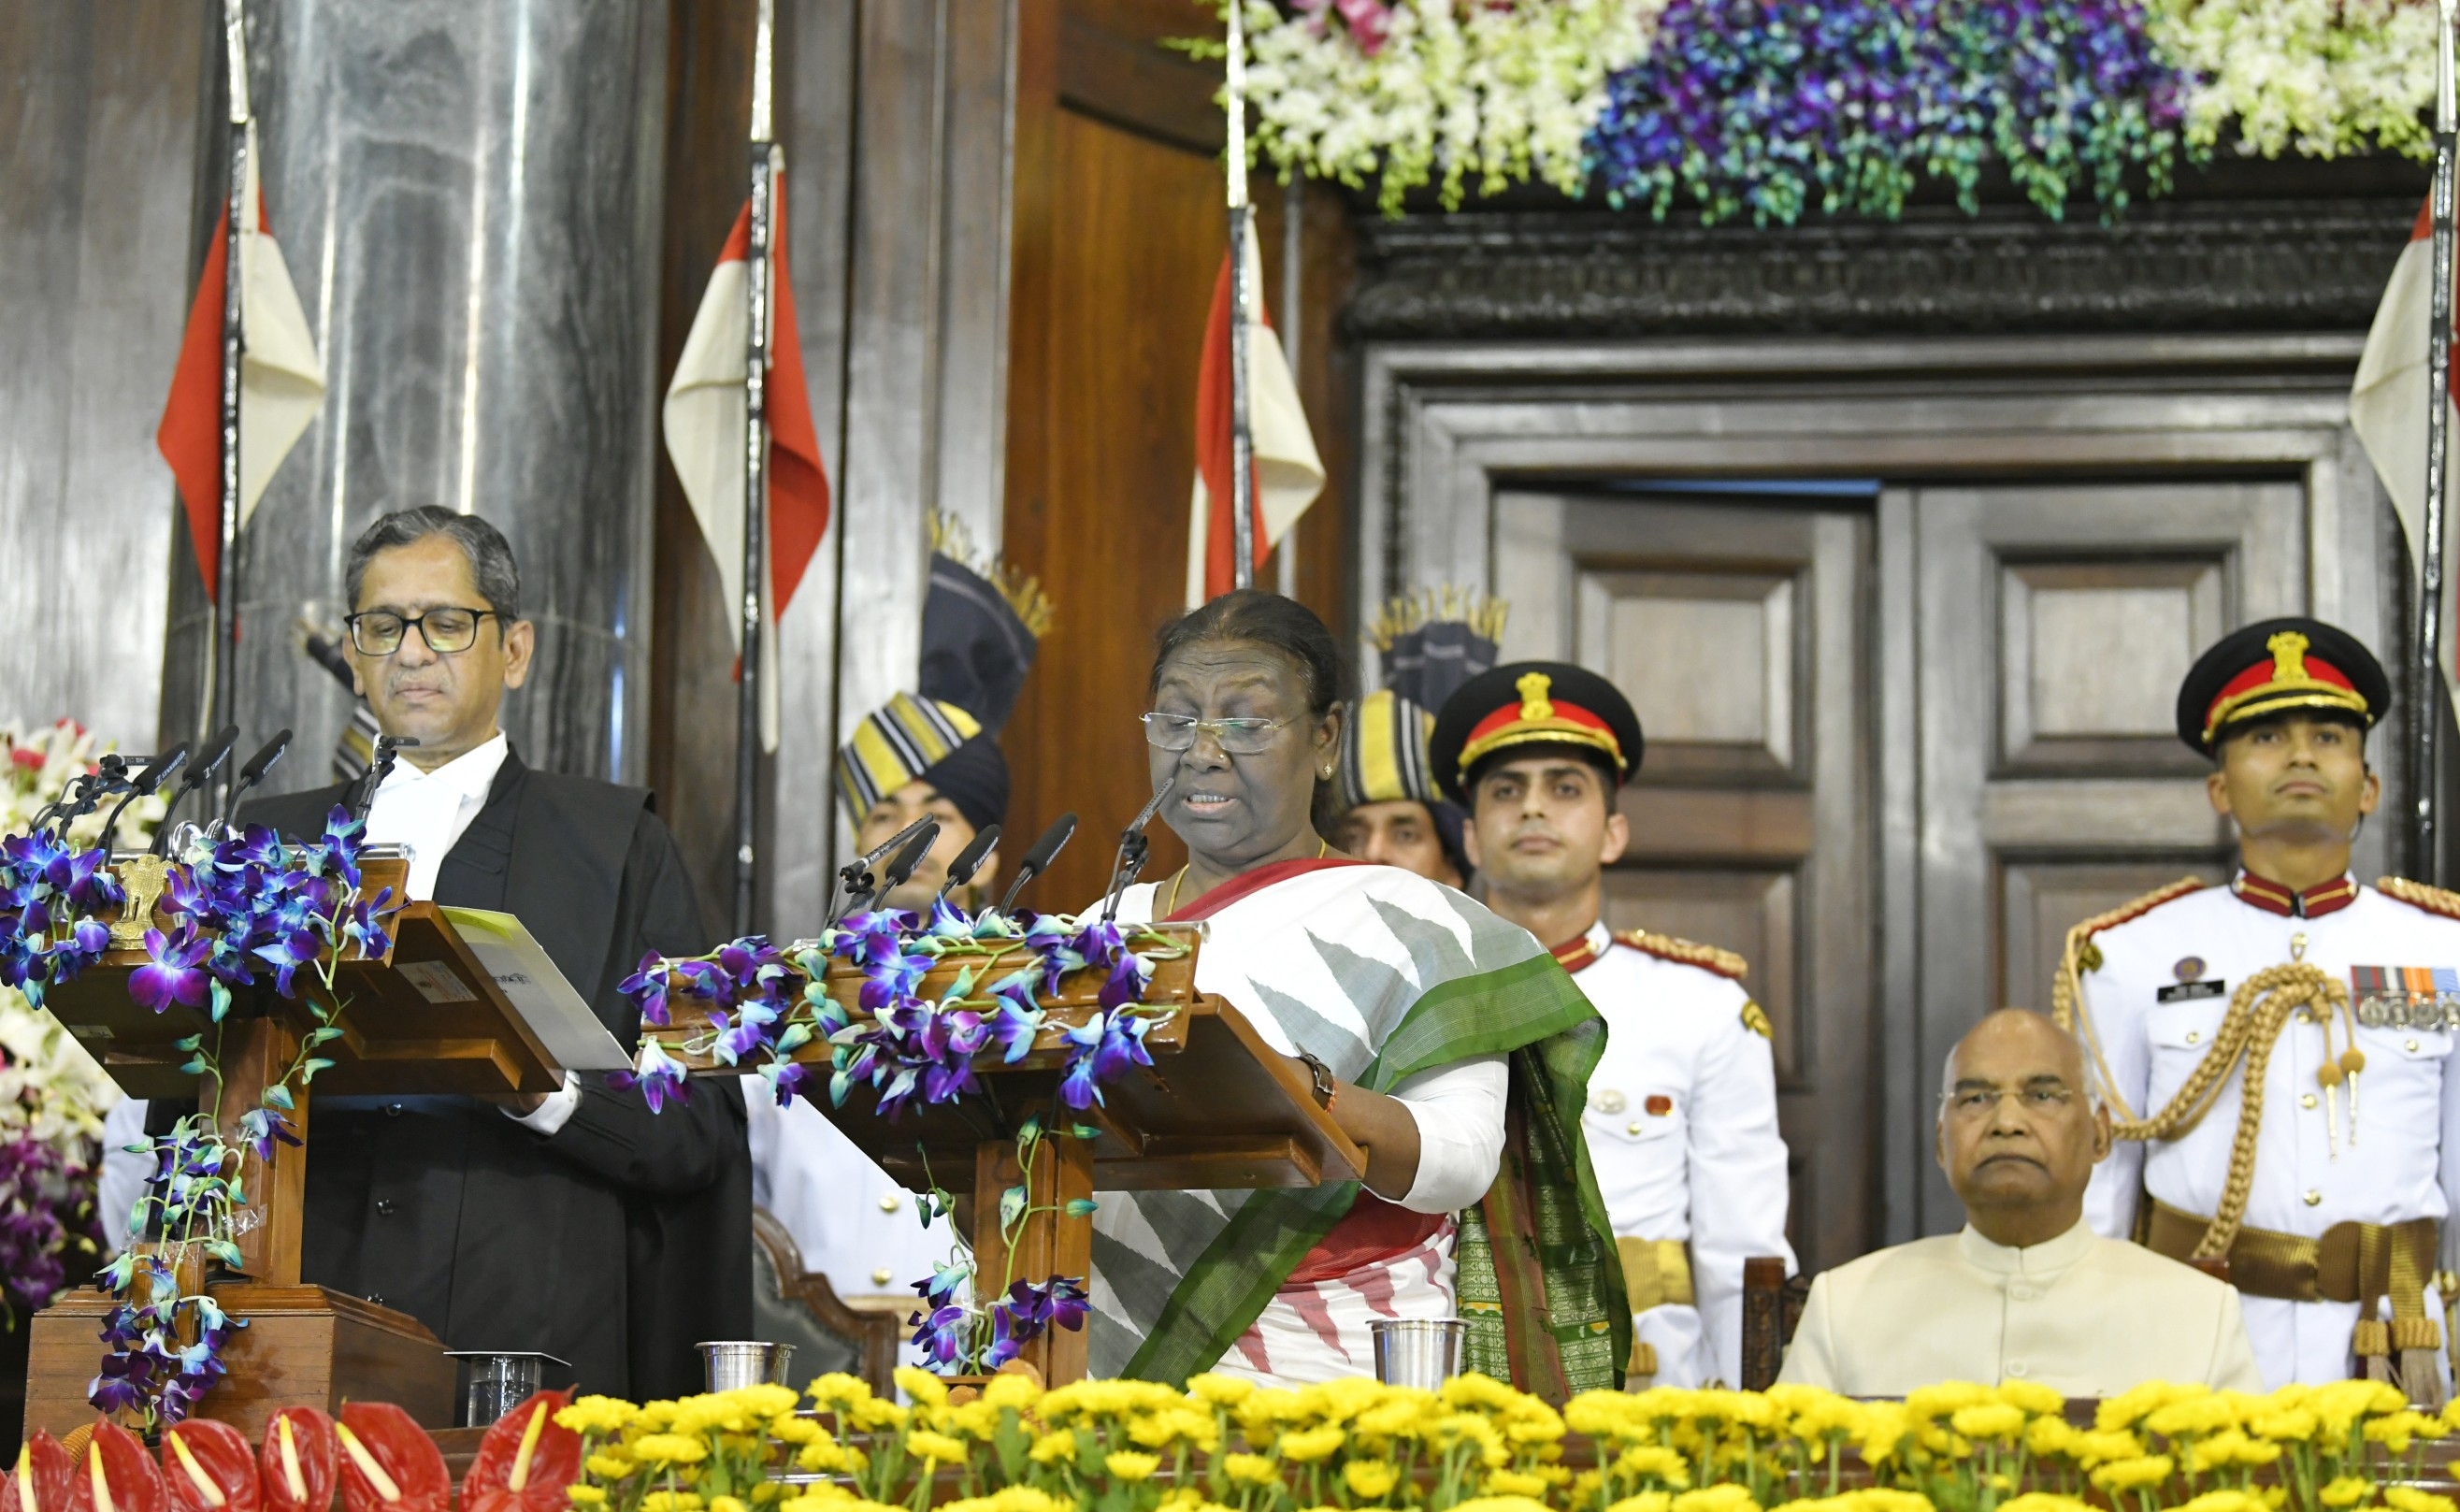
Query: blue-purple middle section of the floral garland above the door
pixel 1768 107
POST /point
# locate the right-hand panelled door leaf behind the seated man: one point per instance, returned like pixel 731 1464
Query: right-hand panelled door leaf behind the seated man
pixel 2053 628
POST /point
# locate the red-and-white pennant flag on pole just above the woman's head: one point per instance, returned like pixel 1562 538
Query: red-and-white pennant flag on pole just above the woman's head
pixel 1288 473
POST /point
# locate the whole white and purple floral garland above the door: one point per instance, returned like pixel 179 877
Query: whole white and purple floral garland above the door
pixel 1780 107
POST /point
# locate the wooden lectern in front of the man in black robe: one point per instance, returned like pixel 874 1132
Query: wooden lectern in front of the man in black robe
pixel 424 1019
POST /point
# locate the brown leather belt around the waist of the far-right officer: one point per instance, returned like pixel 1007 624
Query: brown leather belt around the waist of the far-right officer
pixel 2348 1265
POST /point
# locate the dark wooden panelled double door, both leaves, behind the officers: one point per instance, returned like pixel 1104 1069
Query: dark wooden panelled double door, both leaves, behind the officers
pixel 1898 741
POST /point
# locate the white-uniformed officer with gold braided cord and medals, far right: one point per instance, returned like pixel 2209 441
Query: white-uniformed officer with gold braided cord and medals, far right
pixel 2328 1194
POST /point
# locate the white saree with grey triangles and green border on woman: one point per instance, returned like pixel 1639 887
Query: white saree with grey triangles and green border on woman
pixel 1381 975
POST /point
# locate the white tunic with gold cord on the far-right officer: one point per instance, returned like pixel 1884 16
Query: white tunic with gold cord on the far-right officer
pixel 2151 1009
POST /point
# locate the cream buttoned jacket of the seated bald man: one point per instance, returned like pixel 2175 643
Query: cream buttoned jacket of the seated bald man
pixel 2077 1314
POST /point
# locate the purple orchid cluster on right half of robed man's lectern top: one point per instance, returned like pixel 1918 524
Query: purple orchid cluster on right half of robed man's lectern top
pixel 260 906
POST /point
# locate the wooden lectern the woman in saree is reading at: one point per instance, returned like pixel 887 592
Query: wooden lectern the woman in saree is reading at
pixel 1219 1110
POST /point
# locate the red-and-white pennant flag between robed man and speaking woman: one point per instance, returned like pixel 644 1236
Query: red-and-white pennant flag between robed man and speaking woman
pixel 705 439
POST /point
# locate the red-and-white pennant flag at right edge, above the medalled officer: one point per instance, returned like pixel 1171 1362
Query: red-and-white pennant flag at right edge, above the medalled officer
pixel 2387 407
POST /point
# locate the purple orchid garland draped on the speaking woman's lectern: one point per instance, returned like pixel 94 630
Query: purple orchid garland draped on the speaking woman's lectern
pixel 764 1007
